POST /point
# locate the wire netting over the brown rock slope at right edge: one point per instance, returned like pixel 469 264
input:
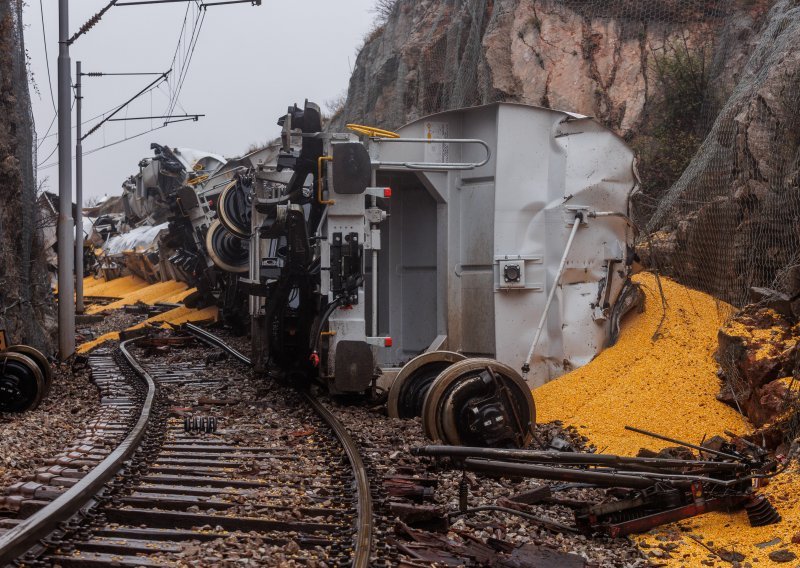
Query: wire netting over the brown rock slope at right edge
pixel 730 222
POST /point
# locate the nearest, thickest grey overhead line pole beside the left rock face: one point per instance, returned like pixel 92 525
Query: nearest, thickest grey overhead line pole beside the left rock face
pixel 66 311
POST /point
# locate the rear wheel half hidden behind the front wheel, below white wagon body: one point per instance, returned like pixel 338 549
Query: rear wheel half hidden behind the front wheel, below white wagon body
pixel 407 393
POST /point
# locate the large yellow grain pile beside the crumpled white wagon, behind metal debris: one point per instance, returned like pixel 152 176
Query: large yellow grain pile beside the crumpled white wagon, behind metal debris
pixel 667 385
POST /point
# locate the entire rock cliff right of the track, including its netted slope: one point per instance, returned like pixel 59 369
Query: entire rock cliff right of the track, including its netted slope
pixel 704 90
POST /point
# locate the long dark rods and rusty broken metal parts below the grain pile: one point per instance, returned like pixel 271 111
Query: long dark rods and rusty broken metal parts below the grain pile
pixel 650 491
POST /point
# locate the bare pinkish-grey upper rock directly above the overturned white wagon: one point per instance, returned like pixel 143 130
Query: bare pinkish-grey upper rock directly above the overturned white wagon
pixel 591 57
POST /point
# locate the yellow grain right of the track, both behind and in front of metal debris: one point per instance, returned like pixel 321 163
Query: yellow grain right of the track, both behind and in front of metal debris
pixel 669 385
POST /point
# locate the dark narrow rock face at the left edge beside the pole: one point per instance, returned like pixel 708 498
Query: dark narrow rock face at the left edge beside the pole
pixel 26 303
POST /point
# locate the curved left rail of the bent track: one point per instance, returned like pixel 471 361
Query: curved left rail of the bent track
pixel 25 535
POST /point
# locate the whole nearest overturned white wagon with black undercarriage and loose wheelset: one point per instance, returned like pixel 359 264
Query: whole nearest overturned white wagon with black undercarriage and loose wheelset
pixel 466 246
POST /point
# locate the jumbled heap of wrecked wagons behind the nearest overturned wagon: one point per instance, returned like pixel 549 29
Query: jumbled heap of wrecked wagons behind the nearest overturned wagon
pixel 172 226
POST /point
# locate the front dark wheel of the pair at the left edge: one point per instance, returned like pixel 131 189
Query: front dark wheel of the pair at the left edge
pixel 21 383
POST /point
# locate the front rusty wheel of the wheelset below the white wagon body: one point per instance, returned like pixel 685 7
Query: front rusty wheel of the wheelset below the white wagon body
pixel 479 402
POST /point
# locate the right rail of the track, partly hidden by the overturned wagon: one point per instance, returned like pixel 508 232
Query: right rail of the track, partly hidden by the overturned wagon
pixel 363 541
